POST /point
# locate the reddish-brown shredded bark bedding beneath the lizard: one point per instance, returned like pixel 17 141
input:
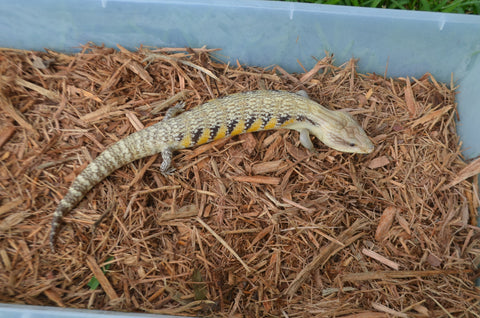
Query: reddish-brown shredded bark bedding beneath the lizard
pixel 253 225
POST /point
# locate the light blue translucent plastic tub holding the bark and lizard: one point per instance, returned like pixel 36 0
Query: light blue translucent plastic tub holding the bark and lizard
pixel 262 33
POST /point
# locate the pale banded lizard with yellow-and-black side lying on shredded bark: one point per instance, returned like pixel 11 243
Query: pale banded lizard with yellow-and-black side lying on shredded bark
pixel 219 118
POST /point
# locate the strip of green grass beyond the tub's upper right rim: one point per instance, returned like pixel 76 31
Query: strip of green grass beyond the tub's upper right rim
pixel 449 6
